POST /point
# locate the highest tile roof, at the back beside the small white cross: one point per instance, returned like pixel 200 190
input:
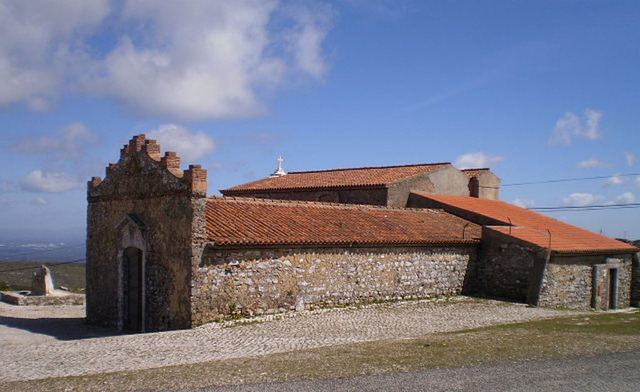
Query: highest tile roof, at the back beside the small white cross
pixel 337 178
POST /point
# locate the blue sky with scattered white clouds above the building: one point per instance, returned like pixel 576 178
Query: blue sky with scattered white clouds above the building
pixel 535 90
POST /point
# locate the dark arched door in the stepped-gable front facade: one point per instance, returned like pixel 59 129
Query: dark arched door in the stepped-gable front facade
pixel 133 289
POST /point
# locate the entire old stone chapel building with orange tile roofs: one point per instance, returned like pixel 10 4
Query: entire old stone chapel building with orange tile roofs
pixel 161 254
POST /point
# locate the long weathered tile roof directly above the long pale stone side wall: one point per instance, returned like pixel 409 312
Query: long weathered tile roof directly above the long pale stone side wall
pixel 244 221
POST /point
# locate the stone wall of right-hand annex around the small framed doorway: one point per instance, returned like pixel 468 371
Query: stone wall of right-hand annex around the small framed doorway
pixel 568 281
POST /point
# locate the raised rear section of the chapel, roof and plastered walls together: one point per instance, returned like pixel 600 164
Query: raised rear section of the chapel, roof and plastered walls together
pixel 388 186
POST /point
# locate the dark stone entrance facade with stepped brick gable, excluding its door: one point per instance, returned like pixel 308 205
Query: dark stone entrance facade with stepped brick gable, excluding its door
pixel 145 201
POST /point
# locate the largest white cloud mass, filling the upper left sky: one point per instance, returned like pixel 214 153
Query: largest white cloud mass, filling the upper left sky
pixel 186 61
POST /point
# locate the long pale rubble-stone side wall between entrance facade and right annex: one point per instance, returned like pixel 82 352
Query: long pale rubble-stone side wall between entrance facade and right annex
pixel 276 280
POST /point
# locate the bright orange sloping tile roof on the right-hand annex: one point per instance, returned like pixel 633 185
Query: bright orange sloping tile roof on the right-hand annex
pixel 534 227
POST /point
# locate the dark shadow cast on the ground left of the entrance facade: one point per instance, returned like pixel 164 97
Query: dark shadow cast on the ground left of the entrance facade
pixel 59 328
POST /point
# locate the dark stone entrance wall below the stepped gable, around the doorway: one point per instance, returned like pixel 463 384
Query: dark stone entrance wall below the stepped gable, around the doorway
pixel 167 261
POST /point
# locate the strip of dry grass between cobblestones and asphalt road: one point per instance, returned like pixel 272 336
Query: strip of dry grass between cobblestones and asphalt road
pixel 577 336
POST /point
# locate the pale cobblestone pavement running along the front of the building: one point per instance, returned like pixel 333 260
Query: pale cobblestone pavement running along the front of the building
pixel 52 341
